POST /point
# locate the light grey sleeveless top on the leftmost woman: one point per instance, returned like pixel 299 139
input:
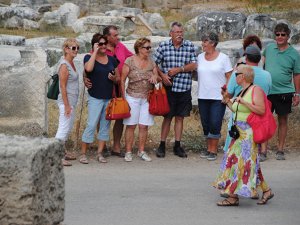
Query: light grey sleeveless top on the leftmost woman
pixel 72 84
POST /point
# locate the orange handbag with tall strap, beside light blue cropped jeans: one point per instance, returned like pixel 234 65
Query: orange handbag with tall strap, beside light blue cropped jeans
pixel 118 108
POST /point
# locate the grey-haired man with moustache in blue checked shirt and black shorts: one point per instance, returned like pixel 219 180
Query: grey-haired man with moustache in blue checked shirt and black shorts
pixel 176 59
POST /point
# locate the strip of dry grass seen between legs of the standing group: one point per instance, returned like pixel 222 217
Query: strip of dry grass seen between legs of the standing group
pixel 192 138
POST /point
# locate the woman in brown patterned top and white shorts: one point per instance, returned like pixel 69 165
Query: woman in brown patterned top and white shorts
pixel 141 72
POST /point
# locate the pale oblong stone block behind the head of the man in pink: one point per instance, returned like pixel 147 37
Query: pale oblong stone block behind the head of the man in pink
pixel 94 24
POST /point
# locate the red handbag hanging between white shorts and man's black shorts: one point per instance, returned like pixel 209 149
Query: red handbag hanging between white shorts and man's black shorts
pixel 158 101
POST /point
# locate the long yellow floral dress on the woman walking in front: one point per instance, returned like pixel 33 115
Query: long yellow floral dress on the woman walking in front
pixel 240 171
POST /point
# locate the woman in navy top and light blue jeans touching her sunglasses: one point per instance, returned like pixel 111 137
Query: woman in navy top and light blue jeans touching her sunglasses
pixel 102 71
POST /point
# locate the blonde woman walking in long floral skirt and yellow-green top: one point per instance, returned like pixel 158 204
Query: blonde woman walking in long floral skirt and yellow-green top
pixel 240 173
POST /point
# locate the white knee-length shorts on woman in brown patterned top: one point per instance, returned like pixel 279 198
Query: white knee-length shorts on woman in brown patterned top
pixel 139 112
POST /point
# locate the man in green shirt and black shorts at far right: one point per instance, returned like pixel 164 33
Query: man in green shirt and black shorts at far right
pixel 283 62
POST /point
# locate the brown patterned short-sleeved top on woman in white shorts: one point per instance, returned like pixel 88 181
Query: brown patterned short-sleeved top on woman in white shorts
pixel 138 79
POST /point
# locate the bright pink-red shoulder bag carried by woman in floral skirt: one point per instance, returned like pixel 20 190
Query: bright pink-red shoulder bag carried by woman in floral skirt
pixel 263 126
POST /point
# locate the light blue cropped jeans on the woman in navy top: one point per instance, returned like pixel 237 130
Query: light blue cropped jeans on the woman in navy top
pixel 96 114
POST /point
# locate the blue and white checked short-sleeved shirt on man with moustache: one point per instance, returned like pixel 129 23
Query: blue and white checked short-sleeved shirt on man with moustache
pixel 168 57
